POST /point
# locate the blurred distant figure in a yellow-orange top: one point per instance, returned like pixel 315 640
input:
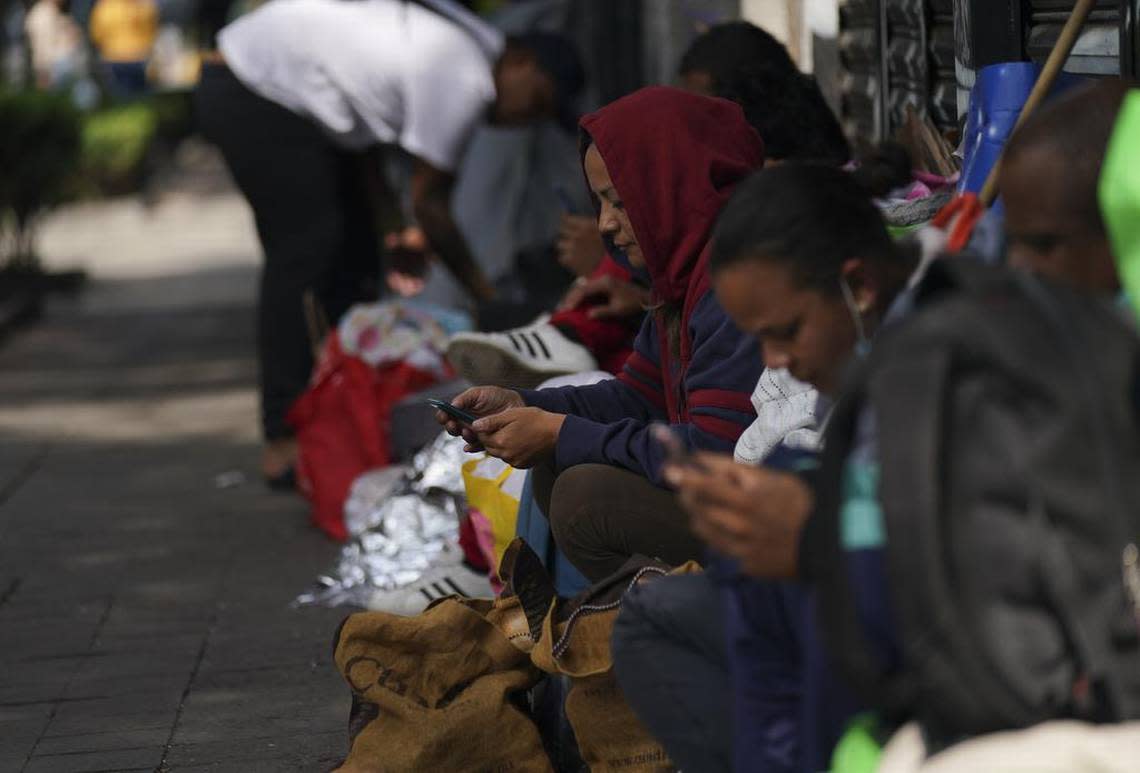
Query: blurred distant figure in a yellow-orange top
pixel 125 31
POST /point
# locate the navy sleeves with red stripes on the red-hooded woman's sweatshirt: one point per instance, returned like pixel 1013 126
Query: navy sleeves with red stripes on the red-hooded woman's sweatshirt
pixel 609 424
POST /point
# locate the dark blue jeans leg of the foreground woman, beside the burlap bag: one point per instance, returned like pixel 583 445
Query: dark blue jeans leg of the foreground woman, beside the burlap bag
pixel 671 661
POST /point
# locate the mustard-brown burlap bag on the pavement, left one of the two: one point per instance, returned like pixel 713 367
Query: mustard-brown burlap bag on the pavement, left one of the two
pixel 442 691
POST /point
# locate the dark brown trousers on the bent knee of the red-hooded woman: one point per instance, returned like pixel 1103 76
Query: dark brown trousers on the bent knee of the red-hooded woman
pixel 602 516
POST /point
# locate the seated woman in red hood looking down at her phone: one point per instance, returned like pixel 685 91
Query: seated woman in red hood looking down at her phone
pixel 659 164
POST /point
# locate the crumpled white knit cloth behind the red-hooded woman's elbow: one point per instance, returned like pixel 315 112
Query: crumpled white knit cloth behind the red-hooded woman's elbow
pixel 786 413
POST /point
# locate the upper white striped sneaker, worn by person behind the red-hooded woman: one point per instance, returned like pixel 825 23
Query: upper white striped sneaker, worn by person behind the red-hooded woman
pixel 523 359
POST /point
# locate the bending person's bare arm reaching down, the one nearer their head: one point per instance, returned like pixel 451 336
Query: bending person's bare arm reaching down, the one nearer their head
pixel 431 202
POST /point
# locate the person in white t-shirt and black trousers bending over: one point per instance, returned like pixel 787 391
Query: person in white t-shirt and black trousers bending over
pixel 302 99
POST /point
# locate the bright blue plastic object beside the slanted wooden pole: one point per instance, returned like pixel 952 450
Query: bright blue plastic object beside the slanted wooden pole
pixel 996 102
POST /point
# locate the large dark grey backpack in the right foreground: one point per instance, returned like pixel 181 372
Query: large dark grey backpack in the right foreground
pixel 1008 428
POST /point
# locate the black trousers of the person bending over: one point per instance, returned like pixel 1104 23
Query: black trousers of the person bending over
pixel 315 223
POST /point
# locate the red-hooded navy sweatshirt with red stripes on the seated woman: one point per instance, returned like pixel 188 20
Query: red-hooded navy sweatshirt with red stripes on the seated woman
pixel 674 159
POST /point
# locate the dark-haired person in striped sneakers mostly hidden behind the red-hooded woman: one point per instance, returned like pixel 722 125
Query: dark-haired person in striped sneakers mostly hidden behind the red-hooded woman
pixel 595 326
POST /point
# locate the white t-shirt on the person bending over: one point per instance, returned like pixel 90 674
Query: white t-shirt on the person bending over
pixel 372 71
